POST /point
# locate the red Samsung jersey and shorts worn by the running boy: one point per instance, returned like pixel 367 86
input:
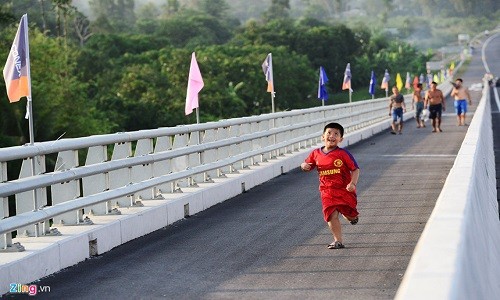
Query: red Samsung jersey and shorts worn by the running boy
pixel 334 170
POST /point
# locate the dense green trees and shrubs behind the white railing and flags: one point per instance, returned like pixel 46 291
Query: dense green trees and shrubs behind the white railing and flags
pixel 124 65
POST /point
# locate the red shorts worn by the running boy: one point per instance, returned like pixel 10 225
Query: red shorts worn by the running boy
pixel 343 201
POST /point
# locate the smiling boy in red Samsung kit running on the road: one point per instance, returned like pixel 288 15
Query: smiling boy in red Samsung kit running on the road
pixel 338 176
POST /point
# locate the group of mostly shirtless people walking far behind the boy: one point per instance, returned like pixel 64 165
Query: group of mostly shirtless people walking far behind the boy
pixel 433 101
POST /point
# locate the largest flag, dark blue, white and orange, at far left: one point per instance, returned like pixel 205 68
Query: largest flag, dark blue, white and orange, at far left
pixel 16 72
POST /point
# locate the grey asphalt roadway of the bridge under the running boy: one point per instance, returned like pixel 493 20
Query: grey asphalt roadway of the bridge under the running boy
pixel 270 243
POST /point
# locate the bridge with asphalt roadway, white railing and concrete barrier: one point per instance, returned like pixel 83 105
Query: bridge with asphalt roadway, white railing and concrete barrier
pixel 220 210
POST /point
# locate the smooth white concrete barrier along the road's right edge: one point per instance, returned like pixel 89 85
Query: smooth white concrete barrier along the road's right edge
pixel 458 254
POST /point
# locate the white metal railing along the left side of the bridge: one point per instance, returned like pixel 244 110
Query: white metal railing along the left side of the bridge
pixel 147 164
